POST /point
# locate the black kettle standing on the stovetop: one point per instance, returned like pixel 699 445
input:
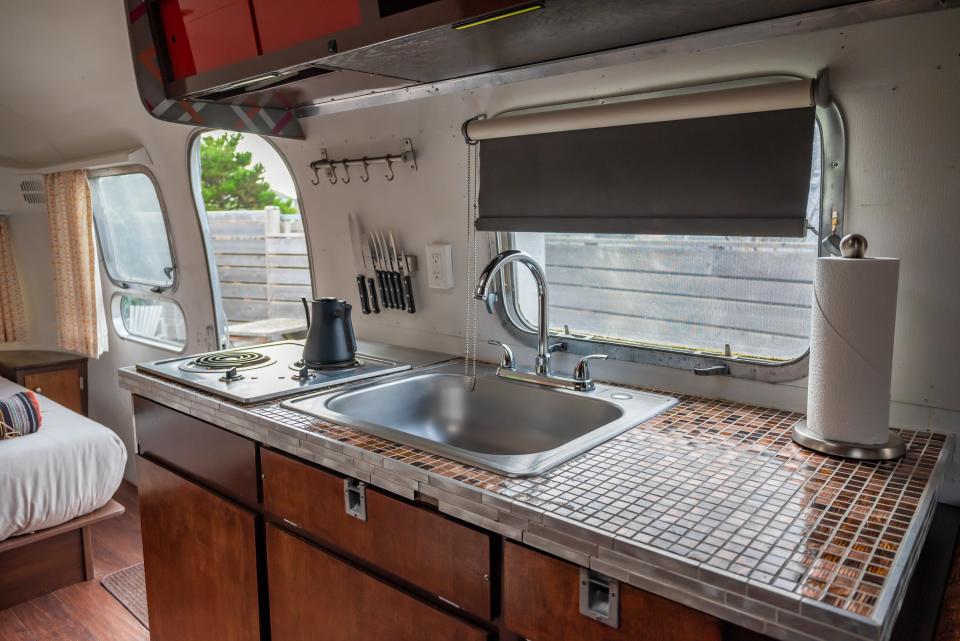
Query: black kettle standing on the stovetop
pixel 330 342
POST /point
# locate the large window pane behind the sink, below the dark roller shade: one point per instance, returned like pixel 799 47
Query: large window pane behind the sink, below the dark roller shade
pixel 740 297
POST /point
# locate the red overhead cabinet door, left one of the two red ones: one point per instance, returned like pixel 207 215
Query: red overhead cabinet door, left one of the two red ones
pixel 202 35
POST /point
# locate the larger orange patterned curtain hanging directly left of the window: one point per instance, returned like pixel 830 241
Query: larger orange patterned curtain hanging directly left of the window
pixel 76 281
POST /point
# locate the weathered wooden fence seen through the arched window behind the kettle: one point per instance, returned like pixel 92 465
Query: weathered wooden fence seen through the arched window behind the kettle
pixel 263 271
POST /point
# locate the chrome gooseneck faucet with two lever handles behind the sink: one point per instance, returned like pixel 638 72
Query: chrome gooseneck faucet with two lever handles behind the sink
pixel 541 373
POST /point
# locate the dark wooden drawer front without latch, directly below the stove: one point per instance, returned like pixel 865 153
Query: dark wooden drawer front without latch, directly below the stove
pixel 216 458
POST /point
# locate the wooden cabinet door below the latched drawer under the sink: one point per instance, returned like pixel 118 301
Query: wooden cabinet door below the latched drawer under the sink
pixel 314 596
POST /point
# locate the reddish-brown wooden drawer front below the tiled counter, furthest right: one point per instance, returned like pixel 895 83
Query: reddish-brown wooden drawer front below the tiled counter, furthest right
pixel 541 602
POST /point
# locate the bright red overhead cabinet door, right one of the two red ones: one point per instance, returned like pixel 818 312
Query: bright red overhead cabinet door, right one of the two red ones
pixel 284 23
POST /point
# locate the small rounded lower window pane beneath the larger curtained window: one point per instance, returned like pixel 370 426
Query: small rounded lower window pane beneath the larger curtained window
pixel 155 321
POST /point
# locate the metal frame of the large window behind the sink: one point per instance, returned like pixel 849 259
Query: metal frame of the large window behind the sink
pixel 833 179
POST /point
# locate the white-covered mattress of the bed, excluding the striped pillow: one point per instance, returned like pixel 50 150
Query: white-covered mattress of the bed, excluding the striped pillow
pixel 68 469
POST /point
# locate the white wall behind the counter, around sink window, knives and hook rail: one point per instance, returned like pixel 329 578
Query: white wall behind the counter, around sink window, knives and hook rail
pixel 898 85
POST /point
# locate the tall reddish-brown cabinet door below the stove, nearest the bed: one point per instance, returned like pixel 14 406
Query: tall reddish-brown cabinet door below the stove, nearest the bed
pixel 200 561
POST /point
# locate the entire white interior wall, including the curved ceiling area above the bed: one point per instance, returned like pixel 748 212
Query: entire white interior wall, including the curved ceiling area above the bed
pixel 897 81
